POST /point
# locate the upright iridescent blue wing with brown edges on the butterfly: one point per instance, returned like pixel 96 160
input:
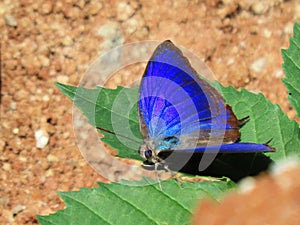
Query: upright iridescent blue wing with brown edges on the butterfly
pixel 174 101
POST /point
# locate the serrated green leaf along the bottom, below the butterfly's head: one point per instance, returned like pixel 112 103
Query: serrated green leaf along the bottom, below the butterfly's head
pixel 147 204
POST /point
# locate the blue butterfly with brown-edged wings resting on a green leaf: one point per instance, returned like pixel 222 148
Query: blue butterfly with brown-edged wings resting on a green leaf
pixel 182 115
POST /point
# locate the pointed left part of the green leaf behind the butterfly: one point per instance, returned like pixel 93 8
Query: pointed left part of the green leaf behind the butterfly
pixel 107 107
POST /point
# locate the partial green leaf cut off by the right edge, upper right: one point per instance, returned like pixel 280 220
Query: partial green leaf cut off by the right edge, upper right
pixel 291 66
